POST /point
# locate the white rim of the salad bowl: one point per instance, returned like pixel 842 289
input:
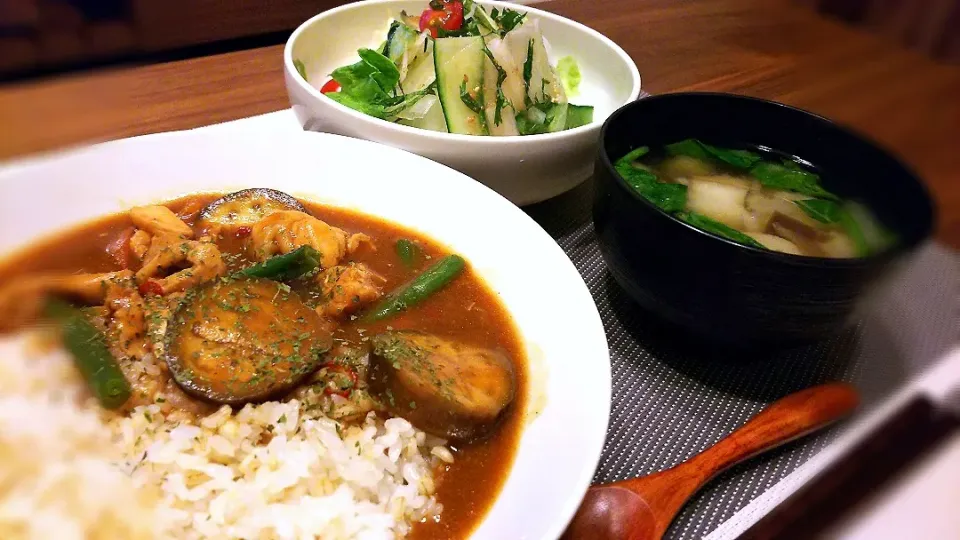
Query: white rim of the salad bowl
pixel 292 73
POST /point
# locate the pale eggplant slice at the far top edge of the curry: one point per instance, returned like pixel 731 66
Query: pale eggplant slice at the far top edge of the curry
pixel 246 207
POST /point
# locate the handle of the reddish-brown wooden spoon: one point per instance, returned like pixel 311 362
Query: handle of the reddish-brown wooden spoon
pixel 781 422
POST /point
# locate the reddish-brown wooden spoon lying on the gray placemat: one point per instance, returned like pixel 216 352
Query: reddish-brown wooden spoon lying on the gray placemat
pixel 643 508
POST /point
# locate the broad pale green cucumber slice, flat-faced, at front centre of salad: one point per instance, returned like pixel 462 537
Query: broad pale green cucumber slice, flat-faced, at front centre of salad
pixel 456 60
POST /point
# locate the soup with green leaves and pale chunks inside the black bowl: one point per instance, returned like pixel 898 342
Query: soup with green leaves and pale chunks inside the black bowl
pixel 752 198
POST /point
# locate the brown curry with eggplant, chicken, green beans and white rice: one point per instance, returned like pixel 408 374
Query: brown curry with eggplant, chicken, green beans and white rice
pixel 251 366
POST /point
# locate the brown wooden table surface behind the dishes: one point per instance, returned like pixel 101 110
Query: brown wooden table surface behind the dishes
pixel 771 49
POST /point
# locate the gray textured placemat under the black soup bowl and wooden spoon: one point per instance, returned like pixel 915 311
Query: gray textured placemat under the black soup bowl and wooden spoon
pixel 671 400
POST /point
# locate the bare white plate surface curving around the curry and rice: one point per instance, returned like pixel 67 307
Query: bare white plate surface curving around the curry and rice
pixel 568 362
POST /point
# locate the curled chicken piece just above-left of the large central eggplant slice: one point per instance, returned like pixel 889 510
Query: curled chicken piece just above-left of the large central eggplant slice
pixel 198 261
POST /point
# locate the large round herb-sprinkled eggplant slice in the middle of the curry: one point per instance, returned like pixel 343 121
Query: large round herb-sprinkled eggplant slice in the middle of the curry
pixel 241 340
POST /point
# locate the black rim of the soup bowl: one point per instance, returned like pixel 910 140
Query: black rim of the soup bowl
pixel 884 255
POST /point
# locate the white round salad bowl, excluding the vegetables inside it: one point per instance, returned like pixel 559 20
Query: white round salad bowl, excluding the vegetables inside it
pixel 524 169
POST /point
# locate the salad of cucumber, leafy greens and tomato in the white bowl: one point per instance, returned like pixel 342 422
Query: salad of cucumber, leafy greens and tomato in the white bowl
pixel 485 73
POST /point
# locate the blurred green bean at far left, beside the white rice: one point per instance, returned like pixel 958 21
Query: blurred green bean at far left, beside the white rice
pixel 90 353
